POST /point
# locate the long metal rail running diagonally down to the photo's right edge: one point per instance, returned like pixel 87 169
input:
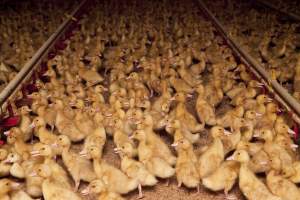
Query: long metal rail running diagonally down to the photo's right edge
pixel 280 93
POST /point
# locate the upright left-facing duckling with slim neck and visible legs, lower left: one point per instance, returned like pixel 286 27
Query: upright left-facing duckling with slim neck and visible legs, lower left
pixel 79 167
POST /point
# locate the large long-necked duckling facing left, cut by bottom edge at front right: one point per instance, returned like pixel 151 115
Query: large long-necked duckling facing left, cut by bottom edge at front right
pixel 249 184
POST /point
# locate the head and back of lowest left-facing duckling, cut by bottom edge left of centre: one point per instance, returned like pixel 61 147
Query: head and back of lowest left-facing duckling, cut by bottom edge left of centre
pixel 98 187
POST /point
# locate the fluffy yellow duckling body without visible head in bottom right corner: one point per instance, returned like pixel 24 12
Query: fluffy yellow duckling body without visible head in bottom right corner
pixel 282 187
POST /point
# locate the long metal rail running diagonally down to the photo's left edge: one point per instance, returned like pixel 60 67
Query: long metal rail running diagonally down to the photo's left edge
pixel 26 71
